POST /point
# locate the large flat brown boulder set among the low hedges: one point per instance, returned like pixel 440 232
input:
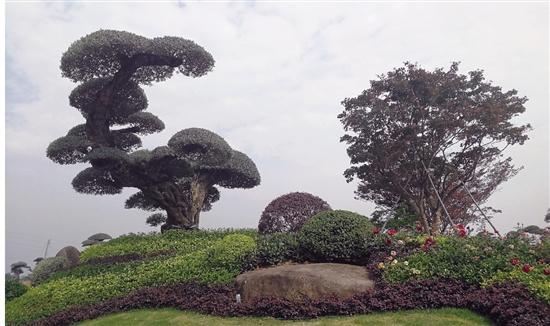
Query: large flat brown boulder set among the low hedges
pixel 313 281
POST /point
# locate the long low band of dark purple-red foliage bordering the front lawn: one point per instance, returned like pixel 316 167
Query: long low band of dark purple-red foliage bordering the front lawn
pixel 505 304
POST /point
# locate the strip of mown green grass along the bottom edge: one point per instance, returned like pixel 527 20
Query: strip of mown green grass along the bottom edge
pixel 430 317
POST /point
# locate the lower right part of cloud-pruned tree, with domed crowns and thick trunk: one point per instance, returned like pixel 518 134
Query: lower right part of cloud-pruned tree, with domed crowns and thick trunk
pixel 212 162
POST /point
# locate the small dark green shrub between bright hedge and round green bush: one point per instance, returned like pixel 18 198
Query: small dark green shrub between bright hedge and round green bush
pixel 276 248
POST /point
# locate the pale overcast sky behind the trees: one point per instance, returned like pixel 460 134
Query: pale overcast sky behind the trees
pixel 281 71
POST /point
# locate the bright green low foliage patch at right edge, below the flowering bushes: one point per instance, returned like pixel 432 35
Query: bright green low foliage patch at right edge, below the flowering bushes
pixel 535 280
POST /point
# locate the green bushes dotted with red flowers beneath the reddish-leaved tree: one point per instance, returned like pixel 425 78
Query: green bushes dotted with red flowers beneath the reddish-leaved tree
pixel 473 259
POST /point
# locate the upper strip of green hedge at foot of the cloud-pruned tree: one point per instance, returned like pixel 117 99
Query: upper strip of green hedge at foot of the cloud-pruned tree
pixel 172 241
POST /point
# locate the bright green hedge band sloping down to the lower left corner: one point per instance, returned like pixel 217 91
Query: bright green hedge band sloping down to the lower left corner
pixel 219 263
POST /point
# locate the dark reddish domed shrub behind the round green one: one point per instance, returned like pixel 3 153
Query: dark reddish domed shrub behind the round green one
pixel 289 212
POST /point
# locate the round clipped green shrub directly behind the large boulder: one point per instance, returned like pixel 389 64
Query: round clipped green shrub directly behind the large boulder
pixel 336 236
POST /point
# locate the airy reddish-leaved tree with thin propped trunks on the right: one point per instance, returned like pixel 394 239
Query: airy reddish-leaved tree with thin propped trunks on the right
pixel 412 123
